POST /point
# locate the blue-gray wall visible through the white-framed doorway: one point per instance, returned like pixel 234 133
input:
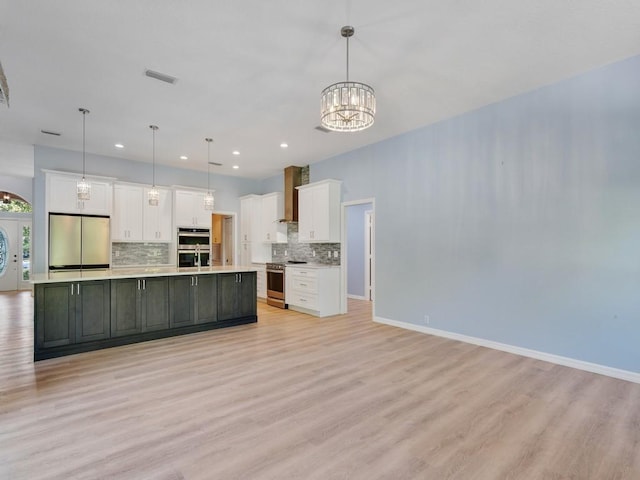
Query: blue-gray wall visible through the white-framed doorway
pixel 355 222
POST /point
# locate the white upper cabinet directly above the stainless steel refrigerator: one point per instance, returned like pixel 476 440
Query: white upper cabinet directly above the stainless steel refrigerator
pixel 62 197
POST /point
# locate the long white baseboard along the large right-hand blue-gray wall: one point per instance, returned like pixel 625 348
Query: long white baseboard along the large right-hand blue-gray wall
pixel 525 352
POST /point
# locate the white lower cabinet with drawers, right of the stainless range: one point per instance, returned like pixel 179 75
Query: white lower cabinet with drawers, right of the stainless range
pixel 313 290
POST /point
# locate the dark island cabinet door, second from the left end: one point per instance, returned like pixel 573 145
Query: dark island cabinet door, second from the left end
pixel 93 311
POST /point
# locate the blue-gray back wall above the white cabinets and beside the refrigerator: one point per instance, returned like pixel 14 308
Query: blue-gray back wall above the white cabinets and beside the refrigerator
pixel 227 189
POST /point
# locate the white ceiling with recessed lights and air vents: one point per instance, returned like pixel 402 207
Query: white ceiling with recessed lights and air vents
pixel 250 72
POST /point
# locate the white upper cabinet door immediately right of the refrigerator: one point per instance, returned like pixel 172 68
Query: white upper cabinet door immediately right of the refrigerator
pixel 126 223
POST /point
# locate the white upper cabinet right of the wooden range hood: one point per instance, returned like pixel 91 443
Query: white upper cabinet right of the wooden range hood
pixel 319 212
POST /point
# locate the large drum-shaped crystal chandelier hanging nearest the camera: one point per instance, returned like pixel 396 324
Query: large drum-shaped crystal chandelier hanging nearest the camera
pixel 347 106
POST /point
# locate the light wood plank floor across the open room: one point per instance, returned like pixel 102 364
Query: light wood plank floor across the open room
pixel 295 397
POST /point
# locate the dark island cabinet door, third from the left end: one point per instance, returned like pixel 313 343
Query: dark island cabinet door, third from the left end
pixel 125 314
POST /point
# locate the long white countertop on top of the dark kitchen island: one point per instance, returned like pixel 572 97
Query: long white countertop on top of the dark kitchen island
pixel 135 272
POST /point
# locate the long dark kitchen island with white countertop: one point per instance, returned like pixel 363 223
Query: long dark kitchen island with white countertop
pixel 93 309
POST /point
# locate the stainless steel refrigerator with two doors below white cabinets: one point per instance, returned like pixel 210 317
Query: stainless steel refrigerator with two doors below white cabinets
pixel 78 241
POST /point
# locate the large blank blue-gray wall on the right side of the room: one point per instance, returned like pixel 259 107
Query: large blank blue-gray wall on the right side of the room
pixel 518 222
